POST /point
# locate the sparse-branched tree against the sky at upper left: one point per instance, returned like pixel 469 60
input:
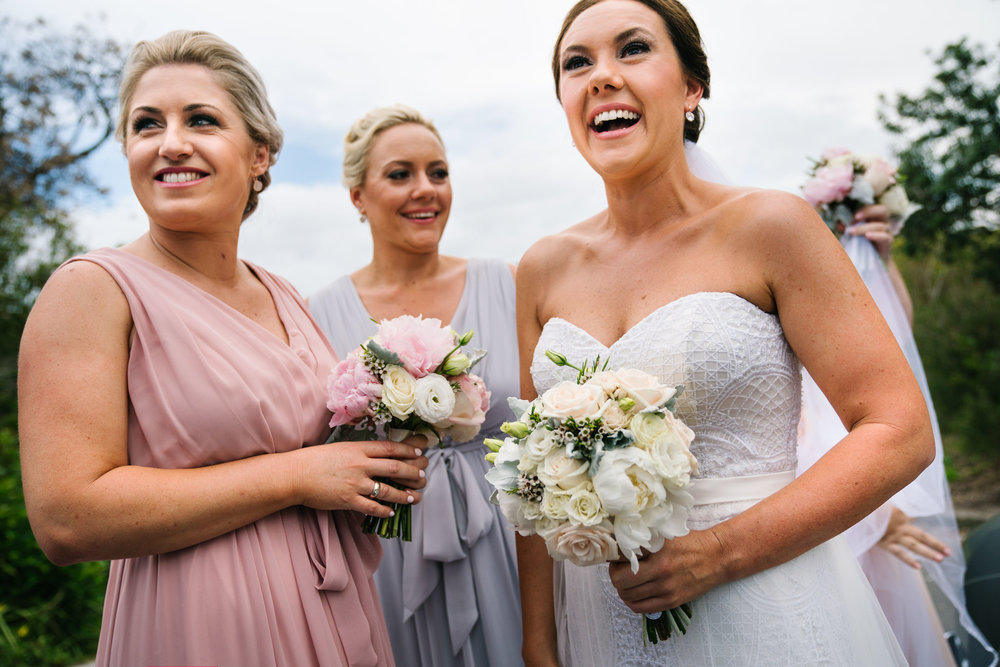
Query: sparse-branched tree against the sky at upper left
pixel 57 102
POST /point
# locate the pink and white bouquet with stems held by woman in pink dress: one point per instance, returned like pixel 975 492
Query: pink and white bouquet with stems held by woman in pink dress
pixel 411 377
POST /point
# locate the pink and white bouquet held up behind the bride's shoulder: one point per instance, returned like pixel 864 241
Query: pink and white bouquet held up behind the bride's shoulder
pixel 842 182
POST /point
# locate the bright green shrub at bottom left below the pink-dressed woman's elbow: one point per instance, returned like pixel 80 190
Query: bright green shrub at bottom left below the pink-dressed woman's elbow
pixel 49 615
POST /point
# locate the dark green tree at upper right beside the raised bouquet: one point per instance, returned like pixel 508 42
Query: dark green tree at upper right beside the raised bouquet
pixel 951 135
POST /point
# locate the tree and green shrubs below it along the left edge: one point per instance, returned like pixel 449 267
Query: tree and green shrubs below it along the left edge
pixel 57 101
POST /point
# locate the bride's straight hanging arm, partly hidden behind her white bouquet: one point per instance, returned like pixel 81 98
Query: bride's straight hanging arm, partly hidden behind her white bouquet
pixel 534 565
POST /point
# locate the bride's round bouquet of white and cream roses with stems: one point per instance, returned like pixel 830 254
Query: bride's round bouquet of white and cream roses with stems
pixel 598 468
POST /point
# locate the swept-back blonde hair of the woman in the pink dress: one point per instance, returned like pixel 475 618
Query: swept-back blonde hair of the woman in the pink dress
pixel 232 72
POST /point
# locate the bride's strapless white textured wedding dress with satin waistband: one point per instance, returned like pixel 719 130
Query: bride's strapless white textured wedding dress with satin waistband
pixel 741 398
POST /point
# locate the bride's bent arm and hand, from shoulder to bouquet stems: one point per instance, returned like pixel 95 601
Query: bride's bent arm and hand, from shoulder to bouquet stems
pixel 789 258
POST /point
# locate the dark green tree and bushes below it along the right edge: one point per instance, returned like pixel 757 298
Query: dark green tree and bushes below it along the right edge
pixel 950 155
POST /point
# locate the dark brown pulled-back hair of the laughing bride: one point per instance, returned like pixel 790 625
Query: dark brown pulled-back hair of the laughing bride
pixel 683 33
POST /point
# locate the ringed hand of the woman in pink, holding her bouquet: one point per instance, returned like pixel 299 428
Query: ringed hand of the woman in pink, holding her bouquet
pixel 342 475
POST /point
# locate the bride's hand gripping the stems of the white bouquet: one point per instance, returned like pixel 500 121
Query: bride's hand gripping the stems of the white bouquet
pixel 684 569
